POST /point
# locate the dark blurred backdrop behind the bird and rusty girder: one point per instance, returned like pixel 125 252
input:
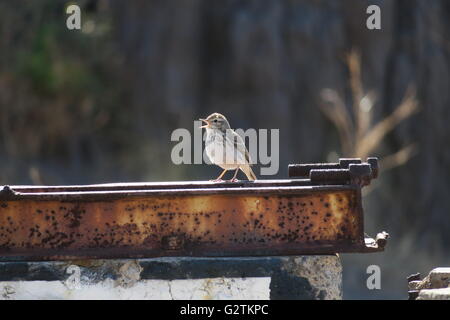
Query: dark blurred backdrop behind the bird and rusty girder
pixel 99 104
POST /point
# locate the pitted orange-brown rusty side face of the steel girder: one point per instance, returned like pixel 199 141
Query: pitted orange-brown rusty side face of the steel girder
pixel 183 224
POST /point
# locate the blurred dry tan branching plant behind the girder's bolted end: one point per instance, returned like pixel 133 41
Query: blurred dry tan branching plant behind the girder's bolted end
pixel 360 135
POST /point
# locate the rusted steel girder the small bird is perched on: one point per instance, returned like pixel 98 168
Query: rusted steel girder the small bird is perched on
pixel 266 217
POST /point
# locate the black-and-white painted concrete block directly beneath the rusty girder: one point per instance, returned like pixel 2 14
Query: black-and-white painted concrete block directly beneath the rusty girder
pixel 293 277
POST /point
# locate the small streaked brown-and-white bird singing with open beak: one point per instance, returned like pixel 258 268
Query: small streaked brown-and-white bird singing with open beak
pixel 225 148
